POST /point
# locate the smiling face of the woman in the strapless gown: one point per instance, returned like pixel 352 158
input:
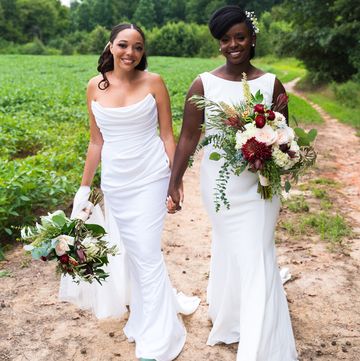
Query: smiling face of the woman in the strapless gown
pixel 127 49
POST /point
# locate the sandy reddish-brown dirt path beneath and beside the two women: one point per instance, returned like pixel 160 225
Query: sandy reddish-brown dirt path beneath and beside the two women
pixel 324 295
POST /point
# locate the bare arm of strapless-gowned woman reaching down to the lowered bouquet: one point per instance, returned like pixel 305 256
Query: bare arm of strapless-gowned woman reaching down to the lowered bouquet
pixel 93 155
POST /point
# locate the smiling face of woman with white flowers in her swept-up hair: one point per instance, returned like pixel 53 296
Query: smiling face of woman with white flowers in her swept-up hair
pixel 236 44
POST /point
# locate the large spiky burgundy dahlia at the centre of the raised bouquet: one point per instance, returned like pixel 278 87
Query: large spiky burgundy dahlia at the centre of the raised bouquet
pixel 256 153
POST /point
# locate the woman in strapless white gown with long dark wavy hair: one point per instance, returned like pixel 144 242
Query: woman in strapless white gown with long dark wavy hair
pixel 126 106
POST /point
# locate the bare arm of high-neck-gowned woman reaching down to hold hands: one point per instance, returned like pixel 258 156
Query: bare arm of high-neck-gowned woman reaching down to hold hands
pixel 189 138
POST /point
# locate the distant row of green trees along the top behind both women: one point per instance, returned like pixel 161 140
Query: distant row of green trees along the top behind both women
pixel 21 20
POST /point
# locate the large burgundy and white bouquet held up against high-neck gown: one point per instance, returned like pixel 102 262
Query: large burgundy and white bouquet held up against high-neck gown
pixel 252 136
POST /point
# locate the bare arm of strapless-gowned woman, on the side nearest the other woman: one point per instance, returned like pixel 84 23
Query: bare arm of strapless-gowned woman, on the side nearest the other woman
pixel 165 119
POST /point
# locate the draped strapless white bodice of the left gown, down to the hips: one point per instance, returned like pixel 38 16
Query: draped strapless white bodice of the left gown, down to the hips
pixel 133 154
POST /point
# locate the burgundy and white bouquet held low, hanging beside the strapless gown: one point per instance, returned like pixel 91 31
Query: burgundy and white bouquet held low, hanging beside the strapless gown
pixel 79 248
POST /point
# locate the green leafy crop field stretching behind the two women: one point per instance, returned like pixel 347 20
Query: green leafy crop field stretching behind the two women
pixel 44 126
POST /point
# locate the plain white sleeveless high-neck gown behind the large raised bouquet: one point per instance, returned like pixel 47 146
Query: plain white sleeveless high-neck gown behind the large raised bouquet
pixel 247 303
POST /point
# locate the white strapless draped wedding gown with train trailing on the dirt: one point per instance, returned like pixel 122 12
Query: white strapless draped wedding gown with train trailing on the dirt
pixel 134 179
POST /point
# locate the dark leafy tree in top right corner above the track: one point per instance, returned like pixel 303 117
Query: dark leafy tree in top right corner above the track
pixel 326 37
